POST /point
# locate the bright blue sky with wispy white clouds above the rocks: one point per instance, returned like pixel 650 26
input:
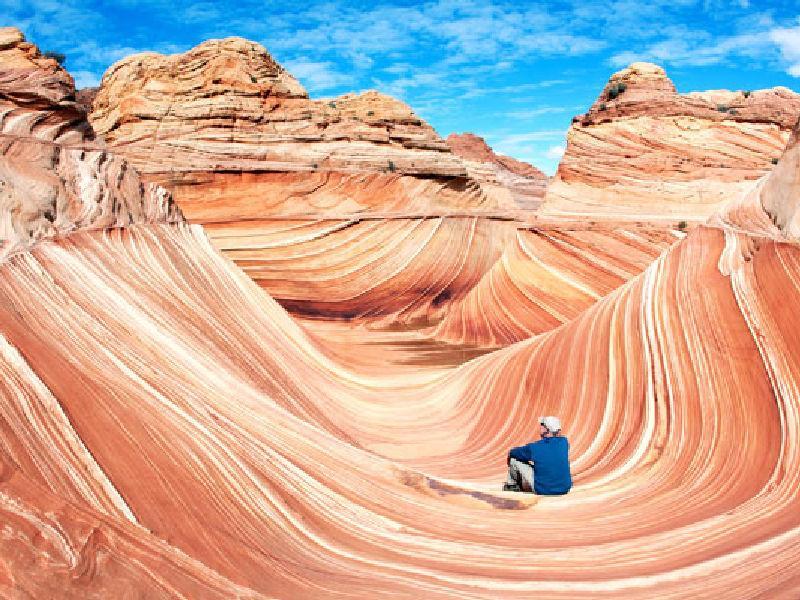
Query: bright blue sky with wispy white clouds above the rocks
pixel 513 72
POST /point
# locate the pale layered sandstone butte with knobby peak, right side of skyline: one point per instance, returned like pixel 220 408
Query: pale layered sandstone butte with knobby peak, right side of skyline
pixel 643 149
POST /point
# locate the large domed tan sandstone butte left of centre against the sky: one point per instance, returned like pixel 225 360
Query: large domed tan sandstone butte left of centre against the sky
pixel 224 121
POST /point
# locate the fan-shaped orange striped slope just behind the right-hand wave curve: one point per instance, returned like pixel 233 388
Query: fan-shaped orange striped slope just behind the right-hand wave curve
pixel 547 276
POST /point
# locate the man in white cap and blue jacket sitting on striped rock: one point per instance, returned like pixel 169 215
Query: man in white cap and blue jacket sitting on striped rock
pixel 543 466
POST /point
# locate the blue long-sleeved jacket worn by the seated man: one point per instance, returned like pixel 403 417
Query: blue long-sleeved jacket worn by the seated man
pixel 550 458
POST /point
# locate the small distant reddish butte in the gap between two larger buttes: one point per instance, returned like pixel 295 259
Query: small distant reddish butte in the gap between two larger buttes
pixel 517 184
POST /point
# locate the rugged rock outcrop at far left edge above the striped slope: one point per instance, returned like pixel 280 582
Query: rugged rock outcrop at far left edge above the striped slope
pixel 53 179
